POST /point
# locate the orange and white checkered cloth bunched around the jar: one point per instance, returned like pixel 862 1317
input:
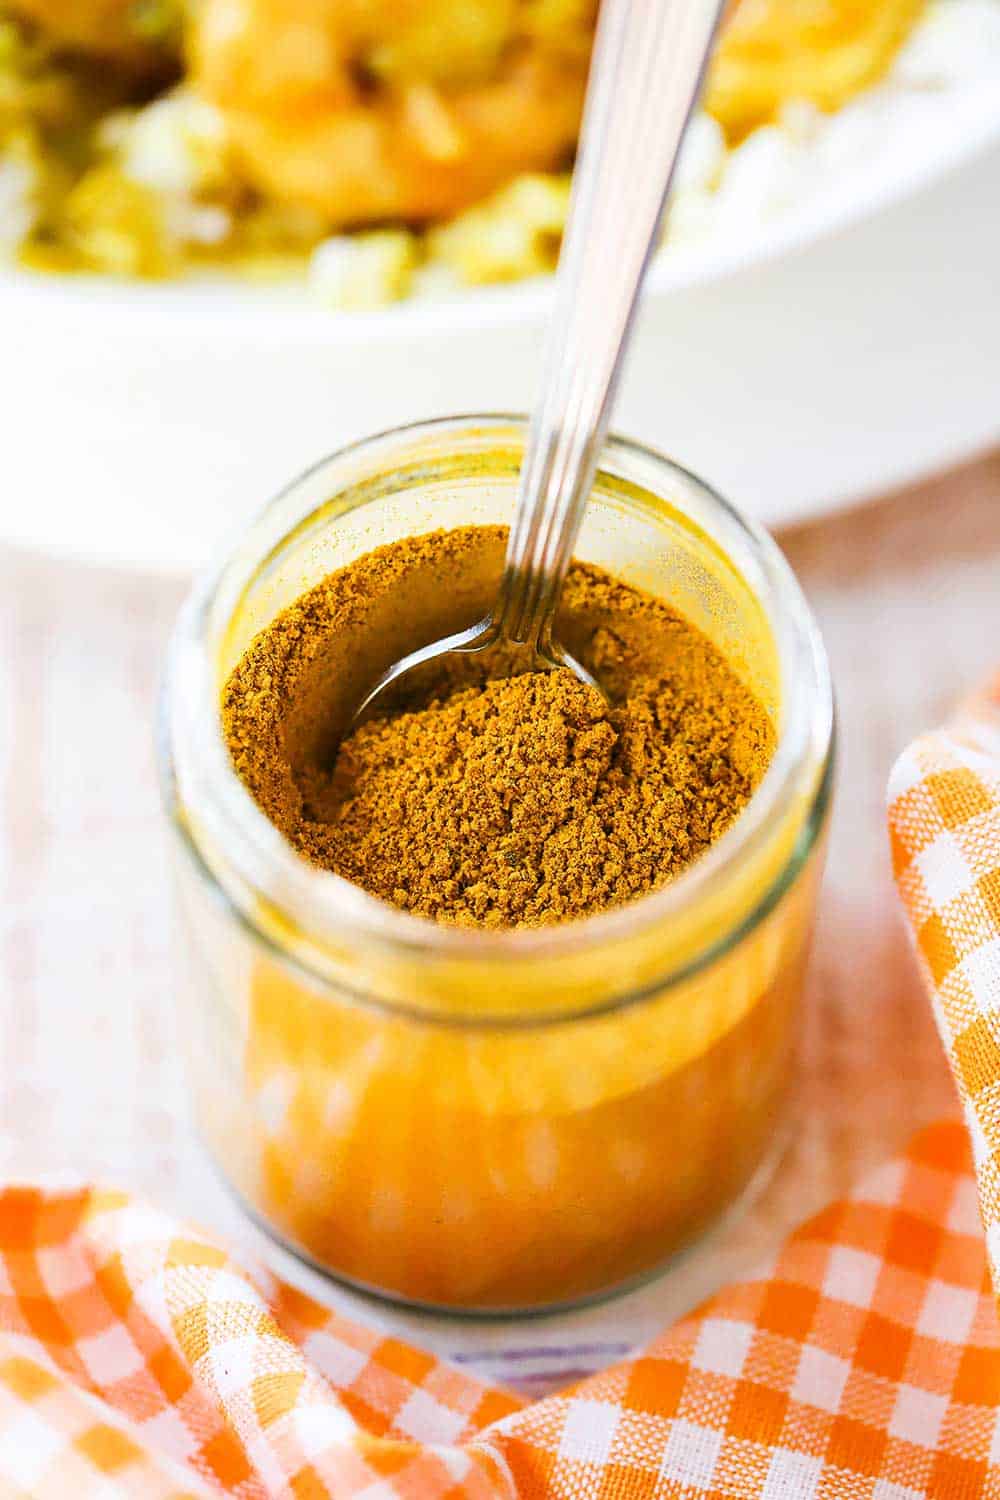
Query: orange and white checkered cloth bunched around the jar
pixel 139 1360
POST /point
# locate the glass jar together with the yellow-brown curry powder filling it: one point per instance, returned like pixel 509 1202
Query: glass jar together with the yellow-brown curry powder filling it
pixel 494 1006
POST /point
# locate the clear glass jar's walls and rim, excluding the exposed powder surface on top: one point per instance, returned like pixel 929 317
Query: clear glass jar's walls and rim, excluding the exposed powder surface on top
pixel 494 1121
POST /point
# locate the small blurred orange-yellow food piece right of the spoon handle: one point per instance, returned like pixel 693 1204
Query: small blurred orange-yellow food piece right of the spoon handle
pixel 818 50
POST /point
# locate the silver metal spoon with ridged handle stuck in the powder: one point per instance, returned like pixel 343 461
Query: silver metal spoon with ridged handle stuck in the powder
pixel 648 62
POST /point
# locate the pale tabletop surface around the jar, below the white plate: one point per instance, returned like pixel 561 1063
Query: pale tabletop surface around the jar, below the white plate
pixel 908 596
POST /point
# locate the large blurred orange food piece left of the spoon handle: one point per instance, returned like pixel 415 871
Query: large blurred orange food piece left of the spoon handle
pixel 373 110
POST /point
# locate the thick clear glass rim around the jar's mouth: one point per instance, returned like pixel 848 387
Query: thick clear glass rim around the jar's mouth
pixel 259 859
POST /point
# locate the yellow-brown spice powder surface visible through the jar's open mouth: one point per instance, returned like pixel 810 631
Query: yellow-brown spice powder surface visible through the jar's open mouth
pixel 494 800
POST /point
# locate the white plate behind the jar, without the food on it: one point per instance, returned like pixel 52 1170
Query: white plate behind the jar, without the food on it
pixel 843 349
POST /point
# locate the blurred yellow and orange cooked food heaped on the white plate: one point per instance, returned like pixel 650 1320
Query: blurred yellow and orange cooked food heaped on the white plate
pixel 376 148
